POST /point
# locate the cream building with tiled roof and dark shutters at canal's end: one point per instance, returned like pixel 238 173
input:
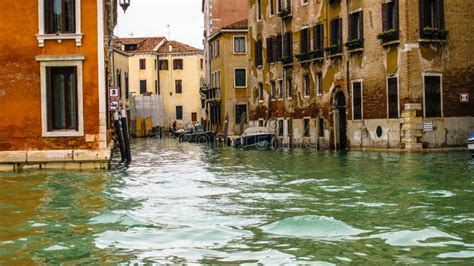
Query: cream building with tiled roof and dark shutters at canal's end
pixel 159 66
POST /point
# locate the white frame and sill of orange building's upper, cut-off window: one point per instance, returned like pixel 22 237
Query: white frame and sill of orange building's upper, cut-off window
pixel 42 36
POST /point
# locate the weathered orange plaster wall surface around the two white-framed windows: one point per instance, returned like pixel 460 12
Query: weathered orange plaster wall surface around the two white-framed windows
pixel 20 103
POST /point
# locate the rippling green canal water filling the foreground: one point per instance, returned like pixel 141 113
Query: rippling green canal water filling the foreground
pixel 191 203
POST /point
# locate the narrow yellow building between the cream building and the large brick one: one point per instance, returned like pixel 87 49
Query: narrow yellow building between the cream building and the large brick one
pixel 227 95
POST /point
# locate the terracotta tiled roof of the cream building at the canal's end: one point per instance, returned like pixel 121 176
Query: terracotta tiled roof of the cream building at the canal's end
pixel 149 44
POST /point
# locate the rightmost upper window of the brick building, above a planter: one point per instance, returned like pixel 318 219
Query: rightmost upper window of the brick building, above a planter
pixel 432 14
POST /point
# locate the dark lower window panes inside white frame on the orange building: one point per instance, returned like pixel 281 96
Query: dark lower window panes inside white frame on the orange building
pixel 62 98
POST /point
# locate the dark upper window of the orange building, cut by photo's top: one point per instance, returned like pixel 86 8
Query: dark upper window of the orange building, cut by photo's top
pixel 60 16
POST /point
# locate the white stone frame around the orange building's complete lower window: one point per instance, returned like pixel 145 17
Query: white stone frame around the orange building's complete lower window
pixel 61 61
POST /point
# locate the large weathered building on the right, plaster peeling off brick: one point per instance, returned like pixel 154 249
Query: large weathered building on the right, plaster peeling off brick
pixel 359 73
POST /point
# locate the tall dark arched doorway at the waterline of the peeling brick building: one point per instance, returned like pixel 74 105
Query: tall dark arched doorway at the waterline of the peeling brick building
pixel 340 122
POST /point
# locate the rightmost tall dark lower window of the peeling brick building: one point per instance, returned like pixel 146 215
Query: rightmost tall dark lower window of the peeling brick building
pixel 432 94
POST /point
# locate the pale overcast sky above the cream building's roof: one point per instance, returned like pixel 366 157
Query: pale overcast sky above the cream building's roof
pixel 146 18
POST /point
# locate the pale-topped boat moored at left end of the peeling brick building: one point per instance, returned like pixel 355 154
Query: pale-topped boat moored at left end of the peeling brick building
pixel 256 137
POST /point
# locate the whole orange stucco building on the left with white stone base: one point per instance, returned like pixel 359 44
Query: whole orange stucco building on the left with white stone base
pixel 53 95
